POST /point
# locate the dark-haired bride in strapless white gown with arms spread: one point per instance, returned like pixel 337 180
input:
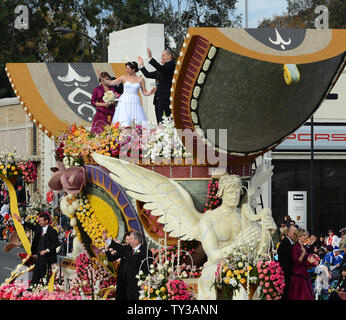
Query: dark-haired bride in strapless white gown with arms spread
pixel 129 109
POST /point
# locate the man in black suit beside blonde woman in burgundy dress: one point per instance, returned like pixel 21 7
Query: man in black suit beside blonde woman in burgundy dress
pixel 285 258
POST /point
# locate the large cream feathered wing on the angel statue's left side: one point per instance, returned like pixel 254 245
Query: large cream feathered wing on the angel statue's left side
pixel 164 197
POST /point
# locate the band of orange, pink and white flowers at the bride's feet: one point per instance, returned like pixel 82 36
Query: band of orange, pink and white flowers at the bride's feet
pixel 76 144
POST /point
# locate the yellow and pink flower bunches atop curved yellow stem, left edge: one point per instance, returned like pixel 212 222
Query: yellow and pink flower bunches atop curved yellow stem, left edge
pixel 11 167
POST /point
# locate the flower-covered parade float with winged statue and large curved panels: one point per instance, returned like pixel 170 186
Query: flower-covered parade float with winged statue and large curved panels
pixel 236 94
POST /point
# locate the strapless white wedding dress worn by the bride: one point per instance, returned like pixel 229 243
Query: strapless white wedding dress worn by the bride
pixel 129 110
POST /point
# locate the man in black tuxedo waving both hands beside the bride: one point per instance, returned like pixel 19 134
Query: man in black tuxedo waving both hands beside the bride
pixel 163 76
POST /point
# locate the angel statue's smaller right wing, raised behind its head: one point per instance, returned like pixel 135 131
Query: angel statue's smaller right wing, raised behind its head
pixel 262 175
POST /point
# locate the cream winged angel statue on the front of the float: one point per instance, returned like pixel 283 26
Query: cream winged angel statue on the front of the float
pixel 221 231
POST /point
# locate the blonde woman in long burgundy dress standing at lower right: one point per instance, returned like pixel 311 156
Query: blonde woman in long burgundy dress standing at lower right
pixel 300 286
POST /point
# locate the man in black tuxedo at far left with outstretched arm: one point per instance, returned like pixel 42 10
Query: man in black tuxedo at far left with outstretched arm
pixel 43 247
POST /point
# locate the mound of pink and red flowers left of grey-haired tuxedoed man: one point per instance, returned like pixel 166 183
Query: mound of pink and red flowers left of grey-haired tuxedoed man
pixel 91 276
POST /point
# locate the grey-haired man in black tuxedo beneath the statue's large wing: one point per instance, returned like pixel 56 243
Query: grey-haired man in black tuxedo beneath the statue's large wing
pixel 133 256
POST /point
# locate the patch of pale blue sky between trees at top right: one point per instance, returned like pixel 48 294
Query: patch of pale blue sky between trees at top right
pixel 258 9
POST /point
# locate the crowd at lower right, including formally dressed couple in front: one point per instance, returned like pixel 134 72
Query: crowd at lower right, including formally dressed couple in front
pixel 314 266
